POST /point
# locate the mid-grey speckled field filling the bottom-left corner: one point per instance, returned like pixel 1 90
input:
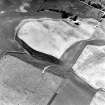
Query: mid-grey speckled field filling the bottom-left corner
pixel 23 84
